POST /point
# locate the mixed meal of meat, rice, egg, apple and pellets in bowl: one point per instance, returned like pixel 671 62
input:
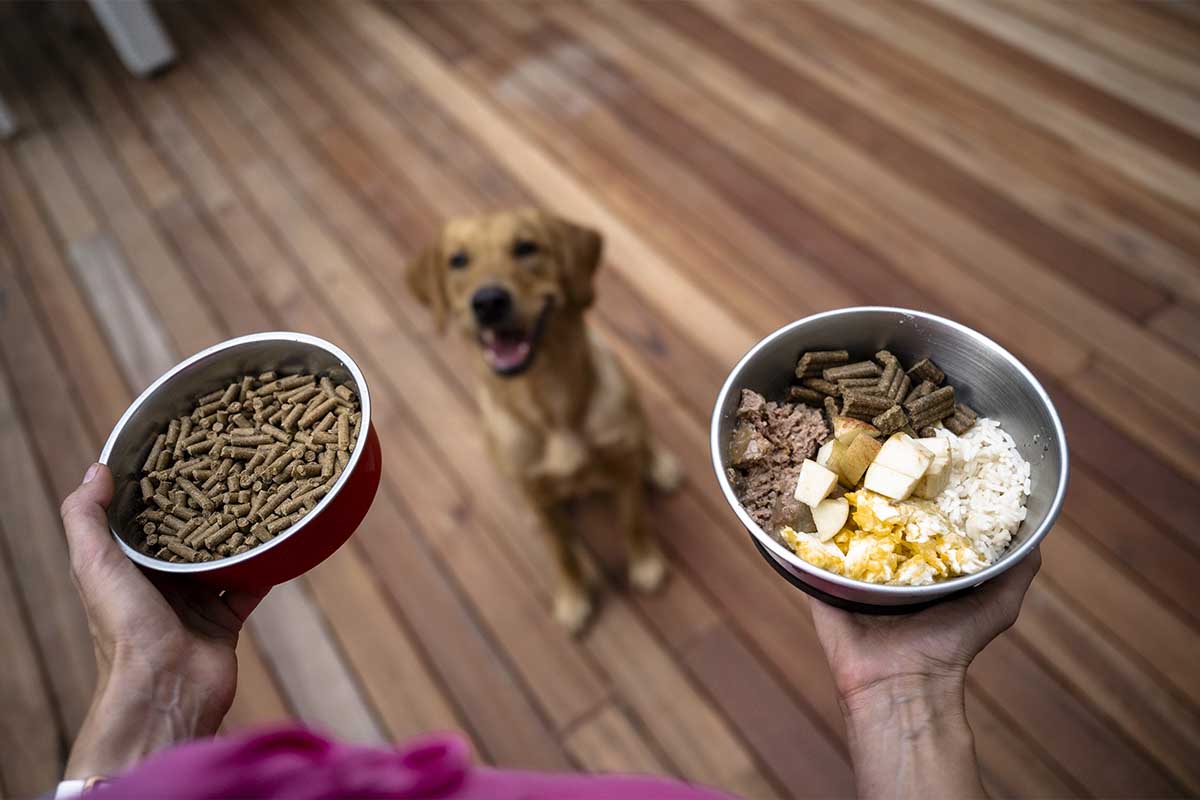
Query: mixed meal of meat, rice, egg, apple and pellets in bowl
pixel 896 483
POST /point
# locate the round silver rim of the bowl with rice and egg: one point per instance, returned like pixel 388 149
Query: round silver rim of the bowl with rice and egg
pixel 895 592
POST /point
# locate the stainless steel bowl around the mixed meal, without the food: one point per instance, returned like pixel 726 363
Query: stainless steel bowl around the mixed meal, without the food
pixel 985 375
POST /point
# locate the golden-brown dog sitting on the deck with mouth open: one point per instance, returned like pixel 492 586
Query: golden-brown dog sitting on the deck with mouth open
pixel 560 413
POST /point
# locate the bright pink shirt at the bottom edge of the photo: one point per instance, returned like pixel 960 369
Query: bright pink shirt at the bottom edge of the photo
pixel 297 765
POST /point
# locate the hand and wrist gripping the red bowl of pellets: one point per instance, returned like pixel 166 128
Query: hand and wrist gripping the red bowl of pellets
pixel 165 649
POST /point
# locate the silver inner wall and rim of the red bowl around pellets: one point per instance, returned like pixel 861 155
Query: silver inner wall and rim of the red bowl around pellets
pixel 176 394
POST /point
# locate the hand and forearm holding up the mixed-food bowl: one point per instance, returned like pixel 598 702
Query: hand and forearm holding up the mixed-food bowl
pixel 902 687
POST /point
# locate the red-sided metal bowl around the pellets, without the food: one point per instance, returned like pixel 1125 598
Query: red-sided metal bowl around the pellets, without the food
pixel 307 544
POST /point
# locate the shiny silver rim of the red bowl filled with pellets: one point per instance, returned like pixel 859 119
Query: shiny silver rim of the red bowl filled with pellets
pixel 166 378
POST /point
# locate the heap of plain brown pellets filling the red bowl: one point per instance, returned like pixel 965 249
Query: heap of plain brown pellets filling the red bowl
pixel 245 465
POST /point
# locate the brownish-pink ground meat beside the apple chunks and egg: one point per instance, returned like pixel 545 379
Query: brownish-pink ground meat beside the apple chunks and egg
pixel 769 447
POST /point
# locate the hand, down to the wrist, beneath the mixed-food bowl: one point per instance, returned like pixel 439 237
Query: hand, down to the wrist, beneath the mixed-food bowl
pixel 935 645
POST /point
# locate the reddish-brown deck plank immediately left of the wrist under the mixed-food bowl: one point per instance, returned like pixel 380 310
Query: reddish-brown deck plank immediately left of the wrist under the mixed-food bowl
pixel 769 715
